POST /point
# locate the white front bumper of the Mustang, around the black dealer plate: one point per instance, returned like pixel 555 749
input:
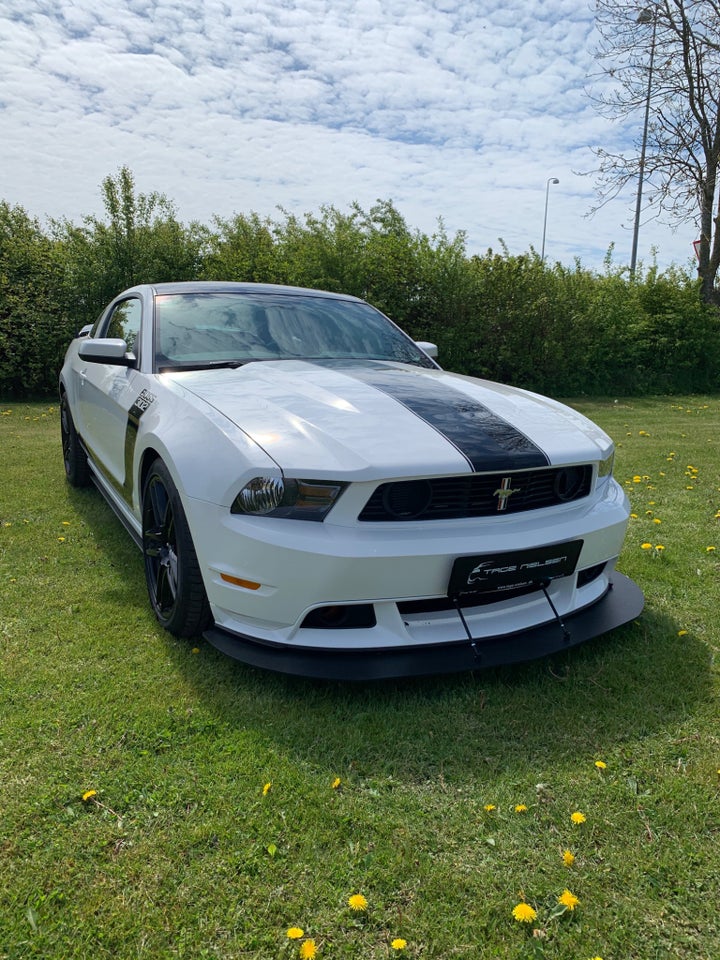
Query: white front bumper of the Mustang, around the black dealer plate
pixel 299 567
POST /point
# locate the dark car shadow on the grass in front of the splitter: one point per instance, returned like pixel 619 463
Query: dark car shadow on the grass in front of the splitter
pixel 641 679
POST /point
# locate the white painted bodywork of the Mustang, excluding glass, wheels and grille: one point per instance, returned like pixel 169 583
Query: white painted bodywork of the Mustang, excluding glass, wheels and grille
pixel 218 429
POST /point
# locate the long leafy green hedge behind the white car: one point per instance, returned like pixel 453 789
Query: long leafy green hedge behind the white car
pixel 557 330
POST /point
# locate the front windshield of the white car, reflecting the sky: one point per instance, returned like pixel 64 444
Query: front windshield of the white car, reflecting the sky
pixel 211 329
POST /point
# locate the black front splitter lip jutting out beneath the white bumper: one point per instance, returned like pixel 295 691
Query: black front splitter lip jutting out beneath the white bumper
pixel 623 602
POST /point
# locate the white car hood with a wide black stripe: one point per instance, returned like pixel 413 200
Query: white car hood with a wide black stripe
pixel 373 419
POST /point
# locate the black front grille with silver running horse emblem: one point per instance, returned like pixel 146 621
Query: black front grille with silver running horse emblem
pixel 479 495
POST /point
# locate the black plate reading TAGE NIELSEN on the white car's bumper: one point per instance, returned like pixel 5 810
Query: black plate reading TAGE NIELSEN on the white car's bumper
pixel 500 572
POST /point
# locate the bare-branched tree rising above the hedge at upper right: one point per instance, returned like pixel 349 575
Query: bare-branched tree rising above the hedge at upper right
pixel 666 56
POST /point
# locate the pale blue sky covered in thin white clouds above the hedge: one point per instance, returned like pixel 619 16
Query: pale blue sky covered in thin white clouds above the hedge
pixel 452 109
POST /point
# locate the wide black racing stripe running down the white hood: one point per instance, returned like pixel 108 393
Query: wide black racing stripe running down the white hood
pixel 486 440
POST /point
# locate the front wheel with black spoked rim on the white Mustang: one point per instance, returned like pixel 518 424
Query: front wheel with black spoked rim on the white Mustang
pixel 172 573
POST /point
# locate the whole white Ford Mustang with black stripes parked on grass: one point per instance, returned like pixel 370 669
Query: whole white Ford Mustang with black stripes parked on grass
pixel 315 495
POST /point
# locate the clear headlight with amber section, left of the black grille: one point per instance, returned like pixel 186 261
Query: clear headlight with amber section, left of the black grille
pixel 292 499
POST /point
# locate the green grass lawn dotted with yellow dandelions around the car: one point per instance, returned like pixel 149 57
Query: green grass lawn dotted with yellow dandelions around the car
pixel 231 805
